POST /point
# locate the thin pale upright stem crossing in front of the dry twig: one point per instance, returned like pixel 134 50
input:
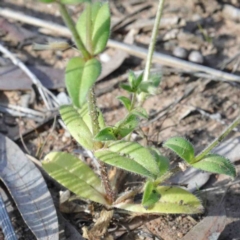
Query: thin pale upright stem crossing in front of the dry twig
pixel 152 46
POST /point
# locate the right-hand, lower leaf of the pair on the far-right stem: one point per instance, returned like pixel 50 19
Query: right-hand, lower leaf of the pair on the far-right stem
pixel 216 164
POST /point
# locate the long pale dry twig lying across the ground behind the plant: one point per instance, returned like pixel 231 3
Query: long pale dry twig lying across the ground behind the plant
pixel 160 58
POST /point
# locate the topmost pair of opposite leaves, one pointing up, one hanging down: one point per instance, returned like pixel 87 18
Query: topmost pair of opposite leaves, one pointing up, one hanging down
pixel 93 27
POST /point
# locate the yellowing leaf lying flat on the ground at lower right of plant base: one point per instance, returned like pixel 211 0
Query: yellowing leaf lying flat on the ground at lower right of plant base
pixel 172 200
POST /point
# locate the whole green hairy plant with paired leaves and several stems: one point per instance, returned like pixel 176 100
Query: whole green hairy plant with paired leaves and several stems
pixel 111 145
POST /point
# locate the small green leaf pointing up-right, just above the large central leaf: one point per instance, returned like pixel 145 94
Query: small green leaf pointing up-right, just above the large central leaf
pixel 127 125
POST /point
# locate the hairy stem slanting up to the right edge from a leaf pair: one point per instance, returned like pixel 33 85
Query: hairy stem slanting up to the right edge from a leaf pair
pixel 218 139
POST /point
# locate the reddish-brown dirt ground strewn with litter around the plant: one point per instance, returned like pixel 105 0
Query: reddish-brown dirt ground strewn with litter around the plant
pixel 197 107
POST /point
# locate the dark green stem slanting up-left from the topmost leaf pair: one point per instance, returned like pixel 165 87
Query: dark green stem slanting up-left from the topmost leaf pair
pixel 71 26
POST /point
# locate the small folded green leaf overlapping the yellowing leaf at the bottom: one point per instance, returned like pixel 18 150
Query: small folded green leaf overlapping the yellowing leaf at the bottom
pixel 150 195
